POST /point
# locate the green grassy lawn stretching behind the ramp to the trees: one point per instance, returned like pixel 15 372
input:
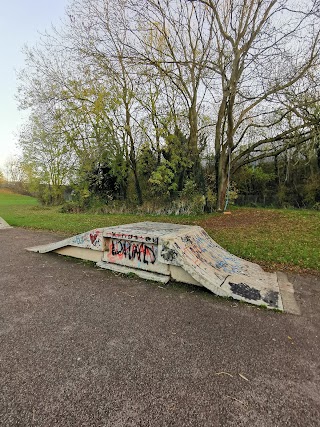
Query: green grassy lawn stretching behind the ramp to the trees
pixel 286 239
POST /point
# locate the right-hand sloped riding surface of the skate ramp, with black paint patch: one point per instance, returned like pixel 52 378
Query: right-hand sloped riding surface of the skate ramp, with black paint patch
pixel 221 272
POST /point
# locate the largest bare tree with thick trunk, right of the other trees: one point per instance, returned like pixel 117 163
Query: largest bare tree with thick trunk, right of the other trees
pixel 263 49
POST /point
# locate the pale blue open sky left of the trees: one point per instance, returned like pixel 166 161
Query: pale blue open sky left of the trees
pixel 20 24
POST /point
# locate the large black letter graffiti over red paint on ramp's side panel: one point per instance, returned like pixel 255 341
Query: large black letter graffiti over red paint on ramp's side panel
pixel 133 251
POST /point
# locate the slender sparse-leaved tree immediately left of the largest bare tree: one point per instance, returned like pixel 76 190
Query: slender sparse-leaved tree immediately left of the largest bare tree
pixel 171 40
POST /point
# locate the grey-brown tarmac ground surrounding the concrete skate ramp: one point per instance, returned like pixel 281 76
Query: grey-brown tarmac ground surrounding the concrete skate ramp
pixel 80 346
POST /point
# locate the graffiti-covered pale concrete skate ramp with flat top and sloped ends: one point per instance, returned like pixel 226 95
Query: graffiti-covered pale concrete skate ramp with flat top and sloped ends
pixel 163 252
